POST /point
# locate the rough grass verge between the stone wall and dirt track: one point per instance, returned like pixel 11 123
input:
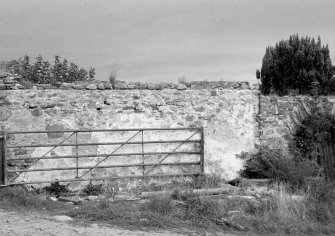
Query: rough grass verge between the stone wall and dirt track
pixel 311 213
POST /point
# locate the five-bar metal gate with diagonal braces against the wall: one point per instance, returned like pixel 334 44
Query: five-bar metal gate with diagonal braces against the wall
pixel 28 157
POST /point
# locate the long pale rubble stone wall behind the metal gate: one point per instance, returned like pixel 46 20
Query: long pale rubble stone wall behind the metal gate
pixel 229 118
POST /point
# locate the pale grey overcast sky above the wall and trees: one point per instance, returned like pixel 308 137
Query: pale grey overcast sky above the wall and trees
pixel 161 40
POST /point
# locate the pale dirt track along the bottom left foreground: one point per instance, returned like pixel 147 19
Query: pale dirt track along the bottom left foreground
pixel 12 223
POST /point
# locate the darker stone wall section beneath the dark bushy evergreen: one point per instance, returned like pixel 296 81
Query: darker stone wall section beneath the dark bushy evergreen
pixel 279 116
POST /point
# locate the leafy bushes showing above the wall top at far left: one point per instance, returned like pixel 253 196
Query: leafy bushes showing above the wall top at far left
pixel 43 72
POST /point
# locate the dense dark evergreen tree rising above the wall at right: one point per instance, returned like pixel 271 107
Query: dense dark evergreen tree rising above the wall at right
pixel 299 65
